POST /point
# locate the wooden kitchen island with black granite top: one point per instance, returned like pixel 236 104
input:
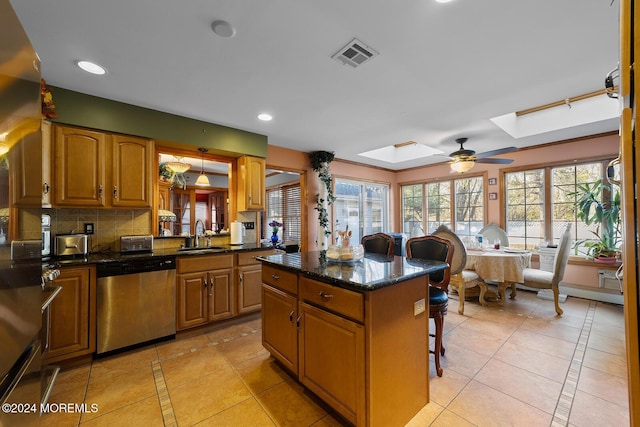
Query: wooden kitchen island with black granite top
pixel 355 334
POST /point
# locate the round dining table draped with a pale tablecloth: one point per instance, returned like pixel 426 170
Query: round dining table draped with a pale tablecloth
pixel 504 266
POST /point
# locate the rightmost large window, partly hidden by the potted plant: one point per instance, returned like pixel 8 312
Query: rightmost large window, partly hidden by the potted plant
pixel 540 202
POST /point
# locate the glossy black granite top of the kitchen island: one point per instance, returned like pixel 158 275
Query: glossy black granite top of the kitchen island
pixel 374 271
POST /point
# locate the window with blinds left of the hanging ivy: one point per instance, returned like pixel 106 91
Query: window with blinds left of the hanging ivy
pixel 283 206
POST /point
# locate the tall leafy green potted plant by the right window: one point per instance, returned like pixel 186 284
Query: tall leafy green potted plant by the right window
pixel 599 204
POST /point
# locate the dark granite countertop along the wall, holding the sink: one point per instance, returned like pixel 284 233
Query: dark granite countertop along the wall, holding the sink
pixel 111 256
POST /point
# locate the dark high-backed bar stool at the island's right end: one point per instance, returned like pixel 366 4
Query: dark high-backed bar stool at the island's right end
pixel 440 249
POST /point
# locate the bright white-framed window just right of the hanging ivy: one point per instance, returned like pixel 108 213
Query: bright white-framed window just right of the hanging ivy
pixel 362 206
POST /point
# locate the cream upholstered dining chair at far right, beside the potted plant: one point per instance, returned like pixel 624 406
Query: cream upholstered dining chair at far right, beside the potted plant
pixel 541 279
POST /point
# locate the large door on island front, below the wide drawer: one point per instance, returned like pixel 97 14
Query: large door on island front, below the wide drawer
pixel 331 353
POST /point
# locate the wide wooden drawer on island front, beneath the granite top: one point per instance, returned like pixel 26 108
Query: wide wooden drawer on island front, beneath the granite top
pixel 338 300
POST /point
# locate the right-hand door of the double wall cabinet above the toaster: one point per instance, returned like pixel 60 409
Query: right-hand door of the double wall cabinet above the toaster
pixel 132 172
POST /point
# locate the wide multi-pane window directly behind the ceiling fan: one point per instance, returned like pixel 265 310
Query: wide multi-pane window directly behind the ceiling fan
pixel 458 204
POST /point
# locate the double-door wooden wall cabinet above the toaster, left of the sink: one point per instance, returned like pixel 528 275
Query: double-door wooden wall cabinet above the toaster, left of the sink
pixel 96 169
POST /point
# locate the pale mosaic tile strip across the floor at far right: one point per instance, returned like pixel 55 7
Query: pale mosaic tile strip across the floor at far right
pixel 568 392
